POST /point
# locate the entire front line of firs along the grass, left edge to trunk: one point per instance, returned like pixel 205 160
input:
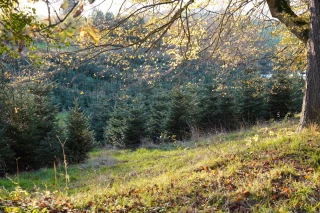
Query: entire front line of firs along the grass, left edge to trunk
pixel 31 131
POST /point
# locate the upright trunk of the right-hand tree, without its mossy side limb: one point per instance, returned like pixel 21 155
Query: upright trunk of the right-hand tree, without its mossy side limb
pixel 311 102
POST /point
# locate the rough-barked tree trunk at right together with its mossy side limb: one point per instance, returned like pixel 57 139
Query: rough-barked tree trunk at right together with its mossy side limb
pixel 309 33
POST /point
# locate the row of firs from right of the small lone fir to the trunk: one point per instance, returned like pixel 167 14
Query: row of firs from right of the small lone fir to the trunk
pixel 177 114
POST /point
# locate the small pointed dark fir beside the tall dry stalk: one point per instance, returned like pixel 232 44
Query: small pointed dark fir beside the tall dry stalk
pixel 80 139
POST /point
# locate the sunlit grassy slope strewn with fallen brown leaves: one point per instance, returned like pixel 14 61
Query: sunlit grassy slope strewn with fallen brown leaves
pixel 268 168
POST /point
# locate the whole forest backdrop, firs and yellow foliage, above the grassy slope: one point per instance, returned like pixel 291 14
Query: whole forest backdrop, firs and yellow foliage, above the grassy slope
pixel 95 80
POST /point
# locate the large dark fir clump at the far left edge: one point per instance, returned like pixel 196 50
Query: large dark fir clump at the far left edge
pixel 28 121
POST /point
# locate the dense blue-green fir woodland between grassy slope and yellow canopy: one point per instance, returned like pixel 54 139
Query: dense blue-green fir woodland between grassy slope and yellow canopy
pixel 87 105
